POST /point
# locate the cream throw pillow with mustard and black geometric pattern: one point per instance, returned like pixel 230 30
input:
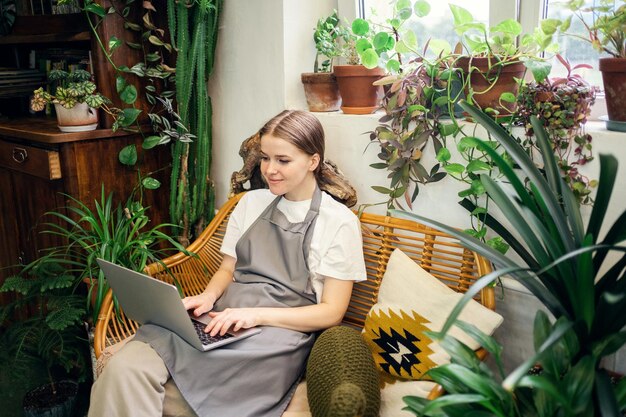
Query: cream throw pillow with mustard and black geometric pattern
pixel 410 302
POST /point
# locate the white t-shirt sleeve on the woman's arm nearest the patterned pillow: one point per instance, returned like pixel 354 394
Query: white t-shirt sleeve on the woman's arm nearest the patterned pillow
pixel 344 257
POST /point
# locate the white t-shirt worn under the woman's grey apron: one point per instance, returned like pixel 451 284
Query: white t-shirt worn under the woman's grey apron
pixel 336 246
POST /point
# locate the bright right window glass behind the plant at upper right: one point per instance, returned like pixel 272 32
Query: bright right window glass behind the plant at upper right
pixel 576 51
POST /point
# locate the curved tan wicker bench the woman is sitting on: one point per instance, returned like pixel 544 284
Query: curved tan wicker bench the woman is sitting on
pixel 436 252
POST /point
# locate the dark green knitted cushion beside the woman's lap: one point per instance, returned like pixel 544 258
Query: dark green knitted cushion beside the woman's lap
pixel 342 380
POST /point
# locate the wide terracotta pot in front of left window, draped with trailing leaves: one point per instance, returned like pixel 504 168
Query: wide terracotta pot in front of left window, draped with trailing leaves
pixel 489 82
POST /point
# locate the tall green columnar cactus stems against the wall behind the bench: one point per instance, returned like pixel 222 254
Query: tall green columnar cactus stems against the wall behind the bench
pixel 192 194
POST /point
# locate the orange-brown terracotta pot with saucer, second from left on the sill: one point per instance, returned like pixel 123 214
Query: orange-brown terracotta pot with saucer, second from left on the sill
pixel 358 94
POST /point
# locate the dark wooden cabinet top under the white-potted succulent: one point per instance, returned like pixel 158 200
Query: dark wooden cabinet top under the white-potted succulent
pixel 45 130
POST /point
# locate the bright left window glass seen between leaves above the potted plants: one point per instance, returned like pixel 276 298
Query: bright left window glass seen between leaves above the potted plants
pixel 439 22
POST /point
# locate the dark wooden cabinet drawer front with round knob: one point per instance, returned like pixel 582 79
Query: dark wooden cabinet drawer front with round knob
pixel 39 162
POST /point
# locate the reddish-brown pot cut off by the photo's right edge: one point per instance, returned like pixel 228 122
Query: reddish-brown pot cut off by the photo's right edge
pixel 614 79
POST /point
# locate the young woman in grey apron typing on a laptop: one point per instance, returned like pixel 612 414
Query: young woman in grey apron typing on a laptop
pixel 291 255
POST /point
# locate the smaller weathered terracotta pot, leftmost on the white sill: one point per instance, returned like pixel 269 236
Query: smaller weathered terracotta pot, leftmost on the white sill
pixel 321 91
